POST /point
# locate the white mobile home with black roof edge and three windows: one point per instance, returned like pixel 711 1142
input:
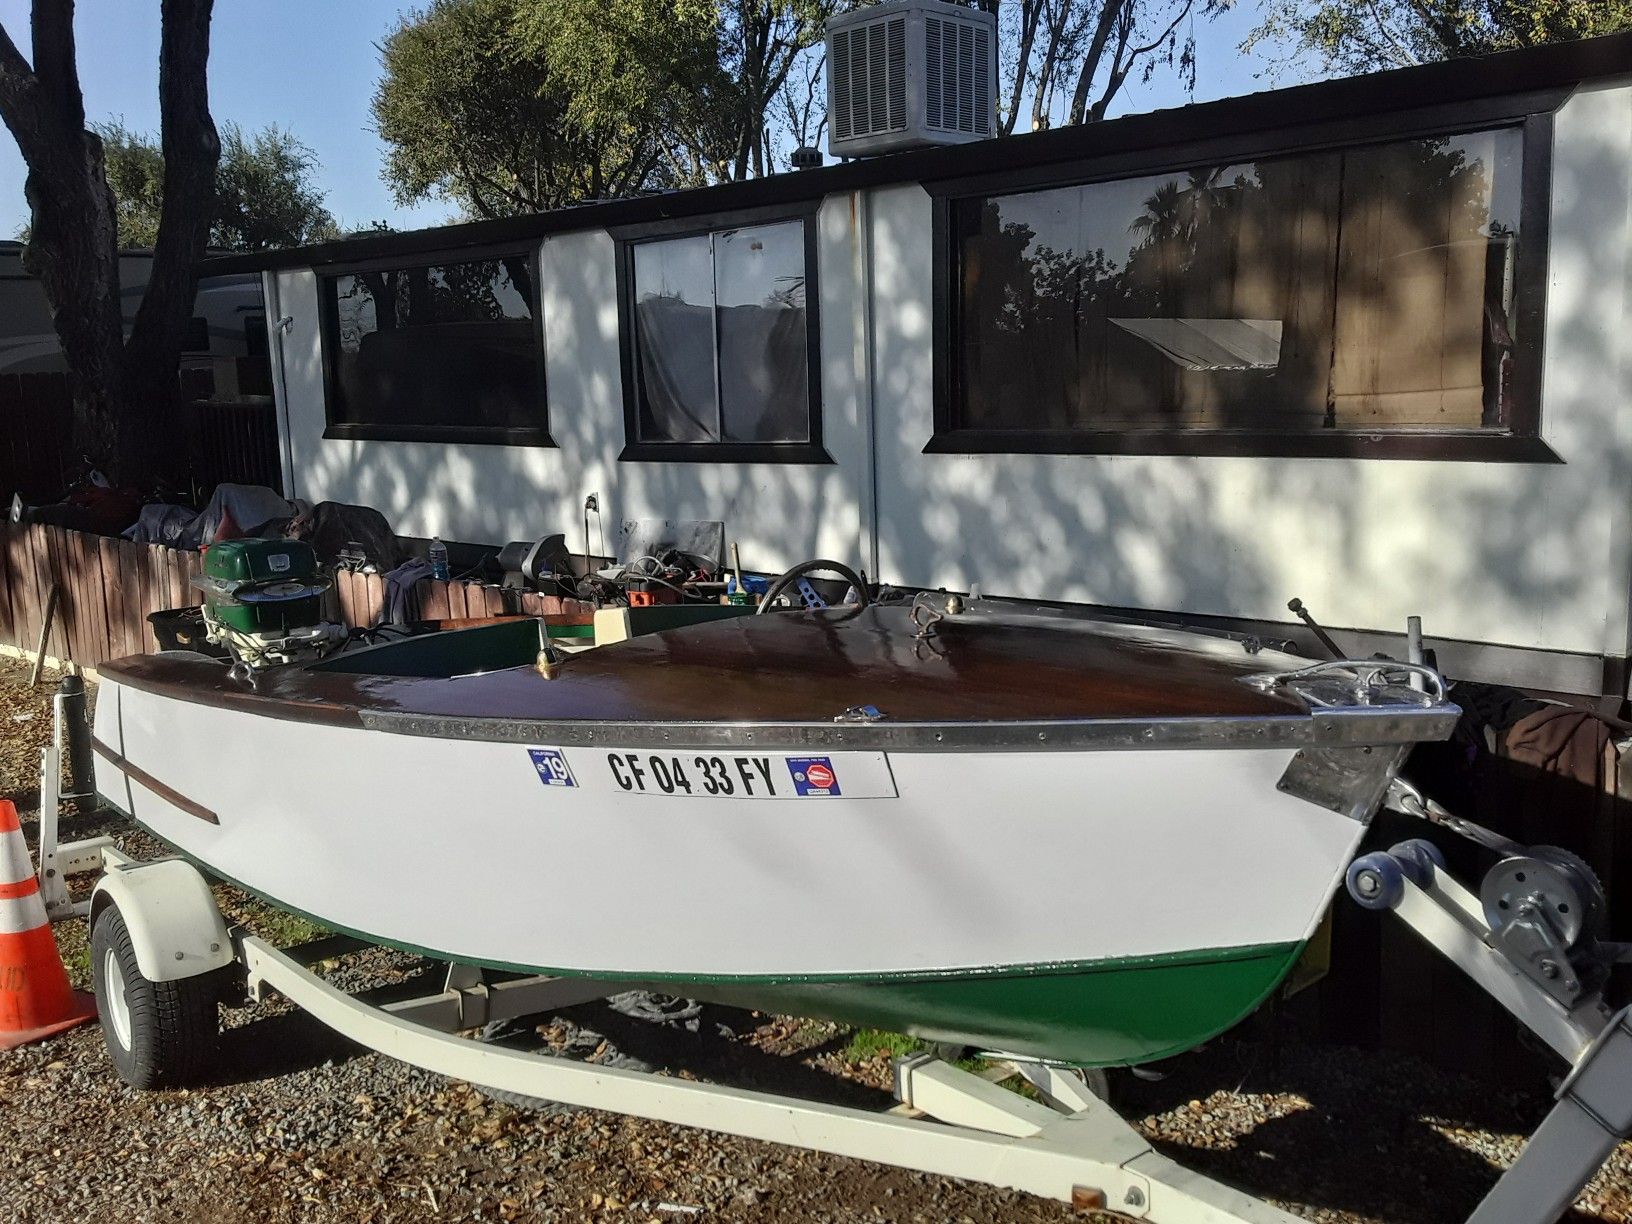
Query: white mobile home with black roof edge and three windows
pixel 1367 344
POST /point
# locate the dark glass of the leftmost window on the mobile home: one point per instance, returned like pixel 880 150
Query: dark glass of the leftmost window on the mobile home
pixel 448 345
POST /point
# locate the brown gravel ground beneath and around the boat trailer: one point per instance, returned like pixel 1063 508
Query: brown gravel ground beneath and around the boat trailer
pixel 304 1127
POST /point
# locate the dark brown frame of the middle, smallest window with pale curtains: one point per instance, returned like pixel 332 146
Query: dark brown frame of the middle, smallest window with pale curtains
pixel 628 239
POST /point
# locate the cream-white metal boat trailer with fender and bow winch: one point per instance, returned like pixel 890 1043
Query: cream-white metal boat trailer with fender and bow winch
pixel 951 1122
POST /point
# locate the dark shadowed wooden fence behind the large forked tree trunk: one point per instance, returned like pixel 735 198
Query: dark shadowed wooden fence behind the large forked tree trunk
pixel 215 441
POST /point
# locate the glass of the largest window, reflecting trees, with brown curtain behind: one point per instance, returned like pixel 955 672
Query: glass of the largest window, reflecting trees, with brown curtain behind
pixel 1364 290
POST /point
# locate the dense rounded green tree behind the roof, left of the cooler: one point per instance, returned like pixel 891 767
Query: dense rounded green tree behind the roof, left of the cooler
pixel 474 109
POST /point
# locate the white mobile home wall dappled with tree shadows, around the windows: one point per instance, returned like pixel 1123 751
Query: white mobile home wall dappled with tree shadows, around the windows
pixel 1527 556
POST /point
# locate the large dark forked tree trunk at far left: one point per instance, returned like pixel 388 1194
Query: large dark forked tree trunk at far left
pixel 120 386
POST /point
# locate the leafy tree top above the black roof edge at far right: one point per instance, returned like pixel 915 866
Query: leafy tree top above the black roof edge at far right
pixel 1352 37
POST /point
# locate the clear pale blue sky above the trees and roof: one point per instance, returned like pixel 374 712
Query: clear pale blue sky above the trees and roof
pixel 311 66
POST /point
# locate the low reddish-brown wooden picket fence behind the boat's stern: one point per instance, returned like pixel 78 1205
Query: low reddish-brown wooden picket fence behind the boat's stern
pixel 107 588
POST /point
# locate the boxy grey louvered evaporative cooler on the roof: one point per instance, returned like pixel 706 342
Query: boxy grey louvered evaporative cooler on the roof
pixel 915 73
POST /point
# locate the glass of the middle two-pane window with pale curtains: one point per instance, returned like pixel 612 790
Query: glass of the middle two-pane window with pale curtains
pixel 722 337
